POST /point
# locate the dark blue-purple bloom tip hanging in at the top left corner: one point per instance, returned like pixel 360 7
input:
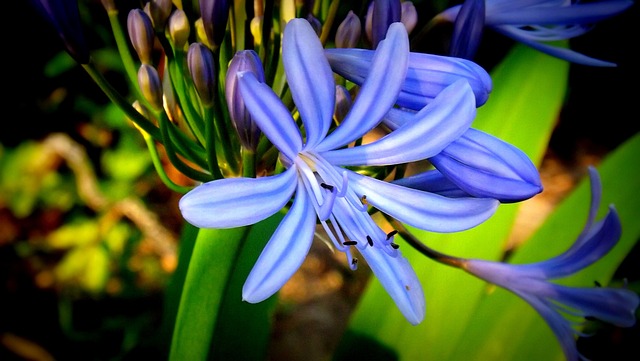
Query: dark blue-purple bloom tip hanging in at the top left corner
pixel 64 16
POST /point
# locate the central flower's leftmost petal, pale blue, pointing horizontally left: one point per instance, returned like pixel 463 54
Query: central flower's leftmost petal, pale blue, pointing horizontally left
pixel 235 202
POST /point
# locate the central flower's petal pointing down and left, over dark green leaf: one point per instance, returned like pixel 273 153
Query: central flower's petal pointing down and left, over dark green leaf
pixel 285 251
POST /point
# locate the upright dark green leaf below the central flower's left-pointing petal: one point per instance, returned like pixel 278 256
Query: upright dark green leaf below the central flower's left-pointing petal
pixel 211 294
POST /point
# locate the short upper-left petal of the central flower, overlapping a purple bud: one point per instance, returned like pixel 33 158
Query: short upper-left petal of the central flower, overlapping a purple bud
pixel 272 117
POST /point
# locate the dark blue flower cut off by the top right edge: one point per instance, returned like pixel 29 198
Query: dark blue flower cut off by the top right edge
pixel 532 22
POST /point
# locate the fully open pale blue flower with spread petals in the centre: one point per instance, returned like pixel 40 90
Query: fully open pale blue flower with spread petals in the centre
pixel 316 173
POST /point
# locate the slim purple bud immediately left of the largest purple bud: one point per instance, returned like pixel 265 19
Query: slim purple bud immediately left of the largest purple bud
pixel 202 70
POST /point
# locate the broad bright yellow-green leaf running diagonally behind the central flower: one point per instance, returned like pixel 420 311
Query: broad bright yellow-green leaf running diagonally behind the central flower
pixel 529 90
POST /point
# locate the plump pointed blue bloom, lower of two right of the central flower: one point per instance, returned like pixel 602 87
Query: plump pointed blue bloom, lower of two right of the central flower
pixel 485 166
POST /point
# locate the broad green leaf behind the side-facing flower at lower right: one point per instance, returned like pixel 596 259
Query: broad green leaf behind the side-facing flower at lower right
pixel 504 327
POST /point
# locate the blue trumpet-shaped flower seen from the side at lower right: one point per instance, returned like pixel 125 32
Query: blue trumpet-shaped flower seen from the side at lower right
pixel 552 301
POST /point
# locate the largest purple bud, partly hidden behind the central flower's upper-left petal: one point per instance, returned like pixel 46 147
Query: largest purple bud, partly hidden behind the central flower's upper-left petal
pixel 248 131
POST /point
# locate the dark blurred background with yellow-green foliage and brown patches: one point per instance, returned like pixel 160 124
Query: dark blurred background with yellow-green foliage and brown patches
pixel 89 234
